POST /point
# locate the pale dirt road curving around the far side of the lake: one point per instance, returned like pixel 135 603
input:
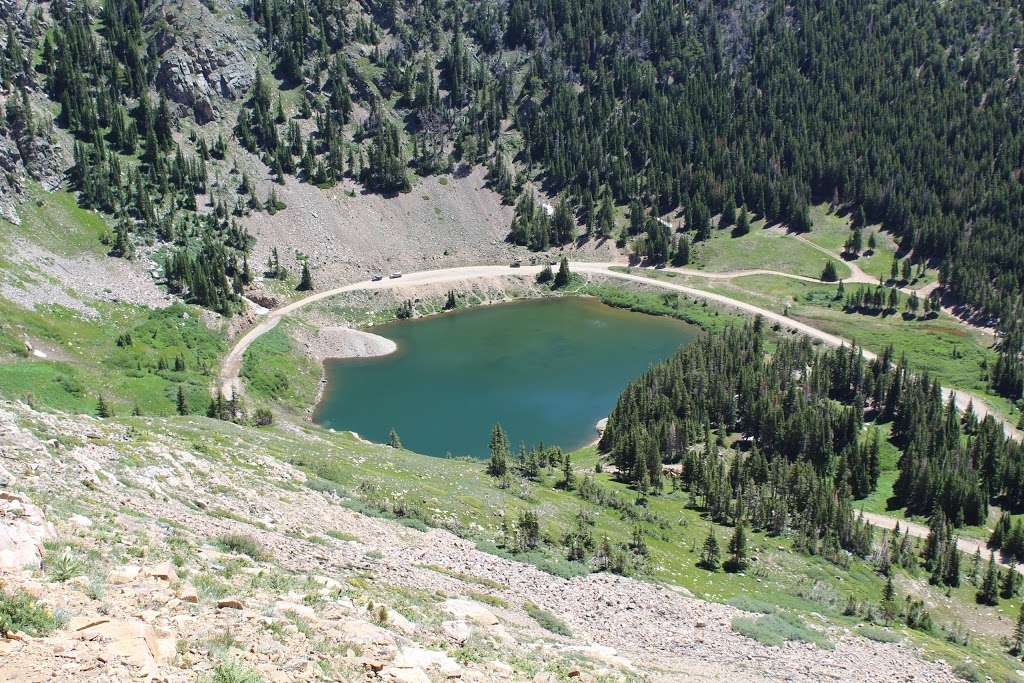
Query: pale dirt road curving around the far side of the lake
pixel 230 382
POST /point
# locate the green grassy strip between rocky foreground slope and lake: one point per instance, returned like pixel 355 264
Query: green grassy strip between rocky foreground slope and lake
pixel 458 495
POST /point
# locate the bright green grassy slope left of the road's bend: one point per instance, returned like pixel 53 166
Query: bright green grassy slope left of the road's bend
pixel 86 360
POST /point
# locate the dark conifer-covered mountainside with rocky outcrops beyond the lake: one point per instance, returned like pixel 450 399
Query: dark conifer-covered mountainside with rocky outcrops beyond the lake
pixel 909 114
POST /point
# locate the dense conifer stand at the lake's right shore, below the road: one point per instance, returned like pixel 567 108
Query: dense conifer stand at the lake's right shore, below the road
pixel 800 415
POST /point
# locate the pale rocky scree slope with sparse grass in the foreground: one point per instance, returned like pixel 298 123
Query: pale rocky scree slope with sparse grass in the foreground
pixel 179 560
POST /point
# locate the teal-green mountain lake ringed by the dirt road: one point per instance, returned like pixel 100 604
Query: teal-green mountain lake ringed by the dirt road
pixel 546 369
